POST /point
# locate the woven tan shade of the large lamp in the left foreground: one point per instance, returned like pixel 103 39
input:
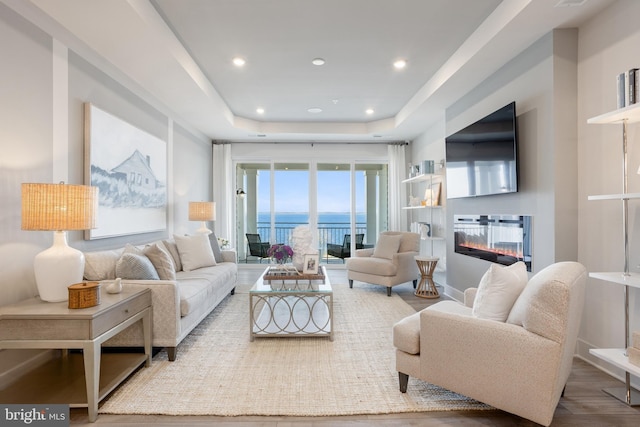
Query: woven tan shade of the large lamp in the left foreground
pixel 58 207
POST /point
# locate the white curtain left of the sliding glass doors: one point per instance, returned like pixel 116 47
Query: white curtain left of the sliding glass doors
pixel 223 192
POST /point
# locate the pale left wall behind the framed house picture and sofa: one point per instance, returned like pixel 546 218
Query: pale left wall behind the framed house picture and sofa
pixel 44 85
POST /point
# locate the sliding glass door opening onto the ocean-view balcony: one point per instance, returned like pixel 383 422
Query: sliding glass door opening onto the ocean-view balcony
pixel 339 200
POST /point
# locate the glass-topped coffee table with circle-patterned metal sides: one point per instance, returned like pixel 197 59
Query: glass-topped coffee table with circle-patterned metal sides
pixel 293 305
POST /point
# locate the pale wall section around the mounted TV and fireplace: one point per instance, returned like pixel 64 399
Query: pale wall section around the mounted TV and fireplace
pixel 547 152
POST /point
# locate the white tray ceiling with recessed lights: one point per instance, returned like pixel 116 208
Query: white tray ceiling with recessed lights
pixel 179 52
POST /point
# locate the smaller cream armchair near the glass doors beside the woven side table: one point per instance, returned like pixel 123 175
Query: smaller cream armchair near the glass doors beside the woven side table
pixel 390 263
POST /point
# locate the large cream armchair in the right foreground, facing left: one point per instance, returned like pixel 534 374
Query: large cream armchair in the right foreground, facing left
pixel 520 366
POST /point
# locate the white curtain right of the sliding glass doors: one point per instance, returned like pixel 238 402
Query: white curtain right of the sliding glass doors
pixel 397 192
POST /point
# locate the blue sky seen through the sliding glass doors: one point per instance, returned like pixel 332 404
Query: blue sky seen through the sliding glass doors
pixel 292 191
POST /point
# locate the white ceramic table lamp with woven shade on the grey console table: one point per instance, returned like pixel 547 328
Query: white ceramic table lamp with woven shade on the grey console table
pixel 58 208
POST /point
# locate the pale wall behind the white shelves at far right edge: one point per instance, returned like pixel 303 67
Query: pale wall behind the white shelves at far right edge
pixel 609 44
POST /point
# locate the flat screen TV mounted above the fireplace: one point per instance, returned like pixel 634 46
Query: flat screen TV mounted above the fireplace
pixel 482 159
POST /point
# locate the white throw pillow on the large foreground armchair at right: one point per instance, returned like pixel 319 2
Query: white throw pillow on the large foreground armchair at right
pixel 498 290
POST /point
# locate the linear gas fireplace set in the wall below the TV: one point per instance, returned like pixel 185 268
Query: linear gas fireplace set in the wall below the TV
pixel 504 239
